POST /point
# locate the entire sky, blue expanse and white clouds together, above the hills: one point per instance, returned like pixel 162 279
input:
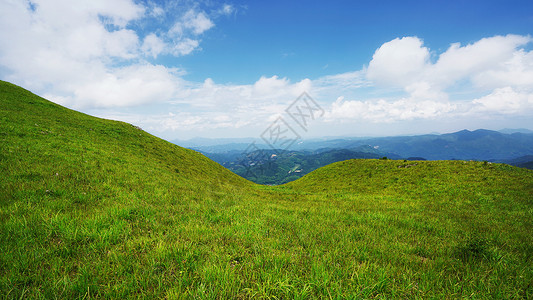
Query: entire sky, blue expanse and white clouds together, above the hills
pixel 221 69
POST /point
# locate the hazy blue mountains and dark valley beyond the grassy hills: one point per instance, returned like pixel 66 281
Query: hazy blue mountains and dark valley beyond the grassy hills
pixel 513 148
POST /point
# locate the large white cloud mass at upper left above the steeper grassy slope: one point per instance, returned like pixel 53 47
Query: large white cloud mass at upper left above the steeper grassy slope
pixel 89 54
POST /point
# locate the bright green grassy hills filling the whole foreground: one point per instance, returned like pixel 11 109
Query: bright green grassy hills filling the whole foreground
pixel 96 208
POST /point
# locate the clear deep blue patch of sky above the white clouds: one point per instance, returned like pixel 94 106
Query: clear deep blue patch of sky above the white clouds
pixel 317 38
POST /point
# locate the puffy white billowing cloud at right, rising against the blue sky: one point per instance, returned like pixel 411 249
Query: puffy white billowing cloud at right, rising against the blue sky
pixel 403 62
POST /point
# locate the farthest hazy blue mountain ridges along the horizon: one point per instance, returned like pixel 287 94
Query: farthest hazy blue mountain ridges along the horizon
pixel 479 144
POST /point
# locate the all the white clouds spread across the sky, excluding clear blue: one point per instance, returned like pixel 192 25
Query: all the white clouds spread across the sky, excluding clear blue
pixel 100 56
